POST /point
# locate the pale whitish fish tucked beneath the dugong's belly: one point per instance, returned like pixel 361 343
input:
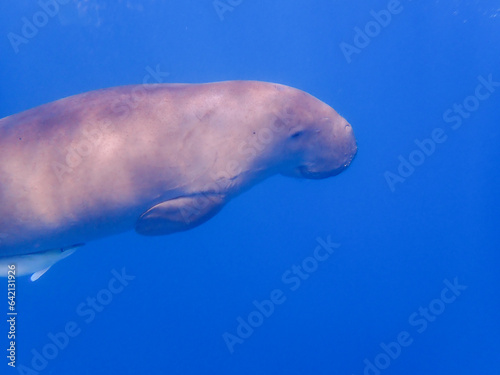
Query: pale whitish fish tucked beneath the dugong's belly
pixel 36 264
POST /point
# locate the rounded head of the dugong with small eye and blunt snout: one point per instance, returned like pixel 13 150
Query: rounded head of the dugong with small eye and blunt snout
pixel 318 142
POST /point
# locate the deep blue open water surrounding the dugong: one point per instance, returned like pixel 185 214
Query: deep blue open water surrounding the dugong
pixel 398 249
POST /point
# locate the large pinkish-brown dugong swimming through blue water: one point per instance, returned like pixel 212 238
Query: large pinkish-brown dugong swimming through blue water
pixel 155 158
